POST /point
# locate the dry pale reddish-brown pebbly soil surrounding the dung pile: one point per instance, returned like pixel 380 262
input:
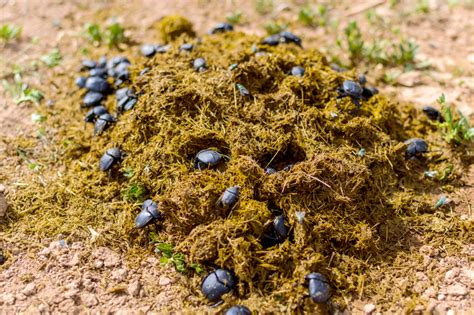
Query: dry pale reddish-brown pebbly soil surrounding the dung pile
pixel 51 276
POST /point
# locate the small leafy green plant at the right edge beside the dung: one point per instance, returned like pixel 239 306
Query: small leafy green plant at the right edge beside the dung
pixel 454 130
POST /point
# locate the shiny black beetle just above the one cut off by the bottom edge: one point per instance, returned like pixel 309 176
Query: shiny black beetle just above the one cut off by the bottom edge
pixel 217 283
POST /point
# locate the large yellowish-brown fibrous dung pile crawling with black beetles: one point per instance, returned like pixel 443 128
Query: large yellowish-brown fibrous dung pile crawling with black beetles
pixel 355 208
